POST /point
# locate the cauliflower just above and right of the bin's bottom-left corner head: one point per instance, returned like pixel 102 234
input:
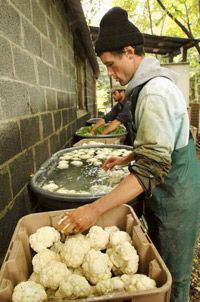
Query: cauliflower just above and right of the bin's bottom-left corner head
pixel 53 273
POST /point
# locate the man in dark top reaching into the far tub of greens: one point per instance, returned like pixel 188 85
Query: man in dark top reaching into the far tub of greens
pixel 119 114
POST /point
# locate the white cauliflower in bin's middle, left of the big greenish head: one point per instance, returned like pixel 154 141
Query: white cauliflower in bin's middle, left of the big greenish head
pixel 96 266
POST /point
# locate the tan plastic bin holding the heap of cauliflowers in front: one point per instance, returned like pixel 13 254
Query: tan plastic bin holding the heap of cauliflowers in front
pixel 17 263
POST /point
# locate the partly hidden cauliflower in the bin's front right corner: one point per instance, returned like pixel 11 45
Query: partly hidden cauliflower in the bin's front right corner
pixel 137 282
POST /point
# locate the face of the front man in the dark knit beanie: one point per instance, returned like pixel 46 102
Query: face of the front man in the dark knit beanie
pixel 120 67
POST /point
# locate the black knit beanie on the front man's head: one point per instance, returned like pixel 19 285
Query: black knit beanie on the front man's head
pixel 116 31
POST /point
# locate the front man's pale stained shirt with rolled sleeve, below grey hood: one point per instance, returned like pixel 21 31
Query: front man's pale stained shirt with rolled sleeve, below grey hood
pixel 160 119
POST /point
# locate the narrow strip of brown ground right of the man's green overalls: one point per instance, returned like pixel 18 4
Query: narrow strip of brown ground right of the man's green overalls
pixel 195 278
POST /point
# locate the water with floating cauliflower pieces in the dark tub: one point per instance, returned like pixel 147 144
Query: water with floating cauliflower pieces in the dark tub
pixel 80 172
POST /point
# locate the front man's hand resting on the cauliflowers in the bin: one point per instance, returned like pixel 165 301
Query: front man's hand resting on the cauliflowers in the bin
pixel 78 220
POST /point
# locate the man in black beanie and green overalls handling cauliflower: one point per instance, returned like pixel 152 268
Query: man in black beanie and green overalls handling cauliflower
pixel 165 170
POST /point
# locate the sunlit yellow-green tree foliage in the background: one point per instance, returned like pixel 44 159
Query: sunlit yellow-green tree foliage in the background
pixel 150 18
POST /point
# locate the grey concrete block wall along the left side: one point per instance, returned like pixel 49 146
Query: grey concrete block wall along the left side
pixel 37 99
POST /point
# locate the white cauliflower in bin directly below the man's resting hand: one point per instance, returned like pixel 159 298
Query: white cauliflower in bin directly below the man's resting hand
pixel 74 250
